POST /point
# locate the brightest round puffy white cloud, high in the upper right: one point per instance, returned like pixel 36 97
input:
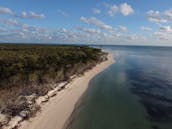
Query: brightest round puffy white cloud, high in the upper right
pixel 126 9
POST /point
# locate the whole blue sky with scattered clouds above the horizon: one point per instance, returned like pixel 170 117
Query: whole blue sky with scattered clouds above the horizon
pixel 114 22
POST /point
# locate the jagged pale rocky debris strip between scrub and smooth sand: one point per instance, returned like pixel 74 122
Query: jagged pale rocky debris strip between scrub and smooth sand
pixel 34 102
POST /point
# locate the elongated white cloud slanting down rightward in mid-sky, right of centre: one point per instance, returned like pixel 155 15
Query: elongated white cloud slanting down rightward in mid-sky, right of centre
pixel 96 22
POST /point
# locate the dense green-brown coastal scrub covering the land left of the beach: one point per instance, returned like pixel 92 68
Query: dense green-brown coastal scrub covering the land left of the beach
pixel 31 69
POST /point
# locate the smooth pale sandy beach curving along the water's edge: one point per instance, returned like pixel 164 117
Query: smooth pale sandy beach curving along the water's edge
pixel 58 109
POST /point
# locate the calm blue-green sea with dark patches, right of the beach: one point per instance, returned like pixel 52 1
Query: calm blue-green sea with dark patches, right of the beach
pixel 133 93
